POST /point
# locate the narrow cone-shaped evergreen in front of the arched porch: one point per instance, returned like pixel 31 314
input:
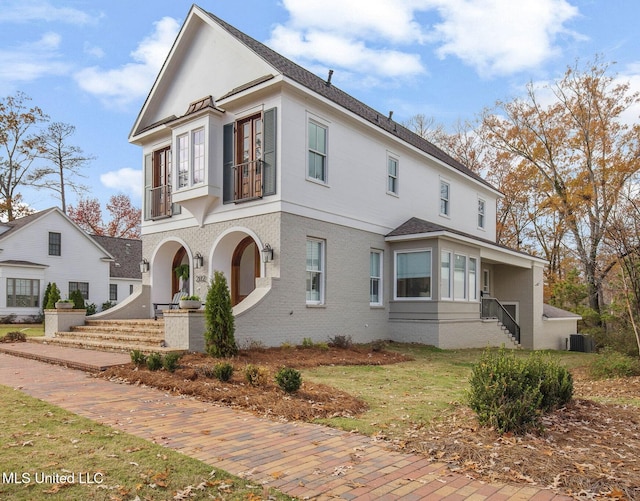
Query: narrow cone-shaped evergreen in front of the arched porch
pixel 219 334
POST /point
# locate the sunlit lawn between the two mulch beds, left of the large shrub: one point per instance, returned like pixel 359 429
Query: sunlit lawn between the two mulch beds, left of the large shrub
pixel 412 394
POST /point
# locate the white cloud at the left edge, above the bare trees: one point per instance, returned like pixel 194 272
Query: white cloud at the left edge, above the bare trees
pixel 30 61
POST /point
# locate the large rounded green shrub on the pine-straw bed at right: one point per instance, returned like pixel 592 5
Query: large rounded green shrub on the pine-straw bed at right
pixel 511 394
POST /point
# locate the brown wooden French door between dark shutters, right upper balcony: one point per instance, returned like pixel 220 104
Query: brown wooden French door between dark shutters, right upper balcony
pixel 248 182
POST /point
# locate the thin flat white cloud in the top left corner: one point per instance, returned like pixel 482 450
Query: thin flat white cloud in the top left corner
pixel 22 11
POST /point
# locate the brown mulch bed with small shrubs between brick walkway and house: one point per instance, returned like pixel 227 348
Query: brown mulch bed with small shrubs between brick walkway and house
pixel 312 401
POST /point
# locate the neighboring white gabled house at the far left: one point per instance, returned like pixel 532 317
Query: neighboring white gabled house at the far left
pixel 43 248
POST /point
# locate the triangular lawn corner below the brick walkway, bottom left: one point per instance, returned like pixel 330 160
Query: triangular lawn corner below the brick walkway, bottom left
pixel 49 453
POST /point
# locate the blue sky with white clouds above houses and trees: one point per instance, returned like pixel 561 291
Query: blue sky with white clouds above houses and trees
pixel 91 63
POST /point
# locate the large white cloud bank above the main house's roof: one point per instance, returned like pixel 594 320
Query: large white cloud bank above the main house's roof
pixel 385 38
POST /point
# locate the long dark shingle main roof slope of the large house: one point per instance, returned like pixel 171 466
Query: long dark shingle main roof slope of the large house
pixel 328 91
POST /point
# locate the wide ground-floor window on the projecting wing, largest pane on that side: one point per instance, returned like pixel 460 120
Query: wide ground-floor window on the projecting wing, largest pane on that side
pixel 413 274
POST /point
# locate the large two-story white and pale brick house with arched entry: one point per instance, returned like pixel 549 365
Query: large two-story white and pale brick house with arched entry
pixel 366 229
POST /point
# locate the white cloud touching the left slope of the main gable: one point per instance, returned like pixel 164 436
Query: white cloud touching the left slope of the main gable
pixel 131 81
